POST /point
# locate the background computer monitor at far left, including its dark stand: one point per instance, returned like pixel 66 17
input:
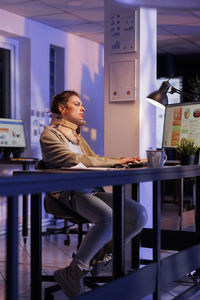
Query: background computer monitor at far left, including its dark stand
pixel 12 138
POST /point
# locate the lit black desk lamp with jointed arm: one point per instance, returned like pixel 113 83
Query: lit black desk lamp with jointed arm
pixel 160 99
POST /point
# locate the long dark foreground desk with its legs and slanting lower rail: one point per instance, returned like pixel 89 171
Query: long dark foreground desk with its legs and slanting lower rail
pixel 49 180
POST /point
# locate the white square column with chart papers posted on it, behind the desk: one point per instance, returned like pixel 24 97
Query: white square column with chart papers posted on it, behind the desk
pixel 129 76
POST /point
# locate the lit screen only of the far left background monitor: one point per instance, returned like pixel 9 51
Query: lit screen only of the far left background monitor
pixel 12 133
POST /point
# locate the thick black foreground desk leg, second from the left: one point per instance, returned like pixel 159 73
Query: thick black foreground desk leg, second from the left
pixel 36 256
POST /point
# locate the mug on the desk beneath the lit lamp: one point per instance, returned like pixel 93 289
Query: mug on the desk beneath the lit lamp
pixel 156 158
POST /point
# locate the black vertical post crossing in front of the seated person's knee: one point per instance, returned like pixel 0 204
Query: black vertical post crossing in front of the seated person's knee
pixel 118 232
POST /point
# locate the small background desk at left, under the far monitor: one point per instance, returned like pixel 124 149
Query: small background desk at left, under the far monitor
pixel 24 162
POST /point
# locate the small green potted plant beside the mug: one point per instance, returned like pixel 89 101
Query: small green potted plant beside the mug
pixel 187 151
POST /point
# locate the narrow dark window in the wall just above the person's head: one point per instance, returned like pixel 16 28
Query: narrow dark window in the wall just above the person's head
pixel 56 74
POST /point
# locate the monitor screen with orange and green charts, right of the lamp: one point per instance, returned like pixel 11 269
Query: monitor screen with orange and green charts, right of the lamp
pixel 181 120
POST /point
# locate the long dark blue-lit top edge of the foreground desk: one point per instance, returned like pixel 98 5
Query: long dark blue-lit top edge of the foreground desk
pixel 51 180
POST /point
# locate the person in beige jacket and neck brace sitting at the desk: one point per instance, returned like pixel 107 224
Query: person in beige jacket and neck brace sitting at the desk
pixel 63 146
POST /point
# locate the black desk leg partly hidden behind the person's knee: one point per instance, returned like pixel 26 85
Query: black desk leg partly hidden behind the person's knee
pixel 135 242
